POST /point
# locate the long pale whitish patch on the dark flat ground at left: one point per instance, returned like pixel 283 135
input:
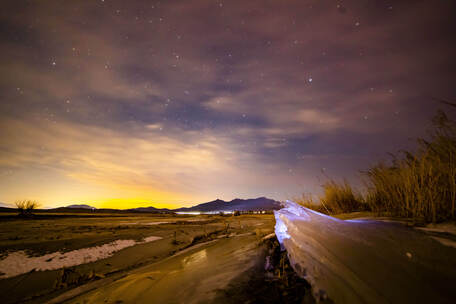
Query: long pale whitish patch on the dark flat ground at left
pixel 19 262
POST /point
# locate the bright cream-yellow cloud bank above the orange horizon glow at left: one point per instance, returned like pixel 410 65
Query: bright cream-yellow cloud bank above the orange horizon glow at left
pixel 143 159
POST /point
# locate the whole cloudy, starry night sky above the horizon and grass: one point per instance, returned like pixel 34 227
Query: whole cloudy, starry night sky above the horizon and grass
pixel 169 103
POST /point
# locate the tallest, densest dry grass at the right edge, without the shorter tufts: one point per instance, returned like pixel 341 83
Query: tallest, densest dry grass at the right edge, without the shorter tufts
pixel 422 185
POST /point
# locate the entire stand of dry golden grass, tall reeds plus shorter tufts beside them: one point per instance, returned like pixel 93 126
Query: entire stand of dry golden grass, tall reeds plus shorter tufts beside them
pixel 419 185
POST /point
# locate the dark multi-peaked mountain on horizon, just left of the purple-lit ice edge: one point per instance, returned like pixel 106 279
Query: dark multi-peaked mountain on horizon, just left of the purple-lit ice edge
pixel 255 204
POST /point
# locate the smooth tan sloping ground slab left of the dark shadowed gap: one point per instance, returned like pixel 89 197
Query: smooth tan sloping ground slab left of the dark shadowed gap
pixel 193 276
